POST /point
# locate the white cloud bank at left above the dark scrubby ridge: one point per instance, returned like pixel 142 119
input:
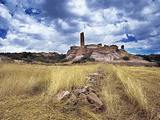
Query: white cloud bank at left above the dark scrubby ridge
pixel 24 27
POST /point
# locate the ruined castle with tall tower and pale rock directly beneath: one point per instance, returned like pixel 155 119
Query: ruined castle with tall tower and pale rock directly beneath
pixel 98 52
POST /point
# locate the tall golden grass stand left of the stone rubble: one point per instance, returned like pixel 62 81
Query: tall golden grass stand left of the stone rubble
pixel 18 79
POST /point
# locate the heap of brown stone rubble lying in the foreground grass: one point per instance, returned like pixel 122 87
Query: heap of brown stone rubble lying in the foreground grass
pixel 86 95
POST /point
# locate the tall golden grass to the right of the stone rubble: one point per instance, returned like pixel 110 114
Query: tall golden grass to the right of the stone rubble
pixel 127 88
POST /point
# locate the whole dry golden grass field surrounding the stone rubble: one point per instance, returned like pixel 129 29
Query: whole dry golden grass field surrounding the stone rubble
pixel 129 93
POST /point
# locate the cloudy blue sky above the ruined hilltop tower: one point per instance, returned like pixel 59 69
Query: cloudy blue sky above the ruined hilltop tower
pixel 54 25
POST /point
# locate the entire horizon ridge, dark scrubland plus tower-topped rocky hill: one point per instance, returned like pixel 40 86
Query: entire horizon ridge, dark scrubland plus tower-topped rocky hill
pixel 84 53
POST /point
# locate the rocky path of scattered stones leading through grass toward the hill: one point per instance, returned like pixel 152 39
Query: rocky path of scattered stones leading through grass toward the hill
pixel 88 95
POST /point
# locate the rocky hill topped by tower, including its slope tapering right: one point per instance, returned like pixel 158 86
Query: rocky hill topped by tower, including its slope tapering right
pixel 99 52
